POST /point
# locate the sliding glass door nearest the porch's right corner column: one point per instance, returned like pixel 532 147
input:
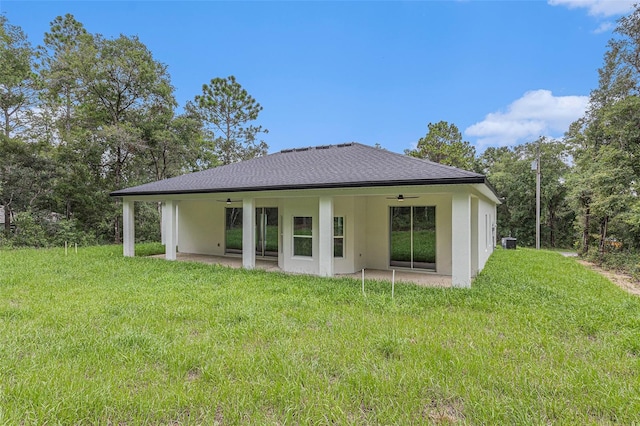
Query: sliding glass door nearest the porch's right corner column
pixel 413 237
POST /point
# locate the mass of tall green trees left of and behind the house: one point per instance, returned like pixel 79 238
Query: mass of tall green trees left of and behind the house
pixel 83 115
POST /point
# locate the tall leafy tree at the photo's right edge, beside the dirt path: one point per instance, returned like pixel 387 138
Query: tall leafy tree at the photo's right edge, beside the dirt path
pixel 606 145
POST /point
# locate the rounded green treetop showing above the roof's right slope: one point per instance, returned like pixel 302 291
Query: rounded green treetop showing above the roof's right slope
pixel 443 144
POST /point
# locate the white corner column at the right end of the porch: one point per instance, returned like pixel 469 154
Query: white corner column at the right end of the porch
pixel 461 240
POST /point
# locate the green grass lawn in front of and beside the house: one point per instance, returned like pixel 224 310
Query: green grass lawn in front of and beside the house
pixel 95 338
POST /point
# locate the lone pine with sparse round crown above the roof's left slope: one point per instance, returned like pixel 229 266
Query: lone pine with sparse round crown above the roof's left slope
pixel 227 111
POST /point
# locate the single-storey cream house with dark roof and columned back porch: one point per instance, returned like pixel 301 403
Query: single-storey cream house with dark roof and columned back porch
pixel 328 210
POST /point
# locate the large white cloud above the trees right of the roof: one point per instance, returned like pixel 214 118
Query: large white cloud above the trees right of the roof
pixel 536 113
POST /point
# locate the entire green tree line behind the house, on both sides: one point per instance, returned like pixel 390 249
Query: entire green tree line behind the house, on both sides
pixel 83 115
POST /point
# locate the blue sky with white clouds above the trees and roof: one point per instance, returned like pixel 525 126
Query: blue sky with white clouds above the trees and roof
pixel 505 72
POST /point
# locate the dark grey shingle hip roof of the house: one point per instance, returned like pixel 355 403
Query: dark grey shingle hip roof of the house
pixel 330 166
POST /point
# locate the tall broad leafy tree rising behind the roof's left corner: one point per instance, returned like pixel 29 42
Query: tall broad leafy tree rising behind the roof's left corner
pixel 123 85
